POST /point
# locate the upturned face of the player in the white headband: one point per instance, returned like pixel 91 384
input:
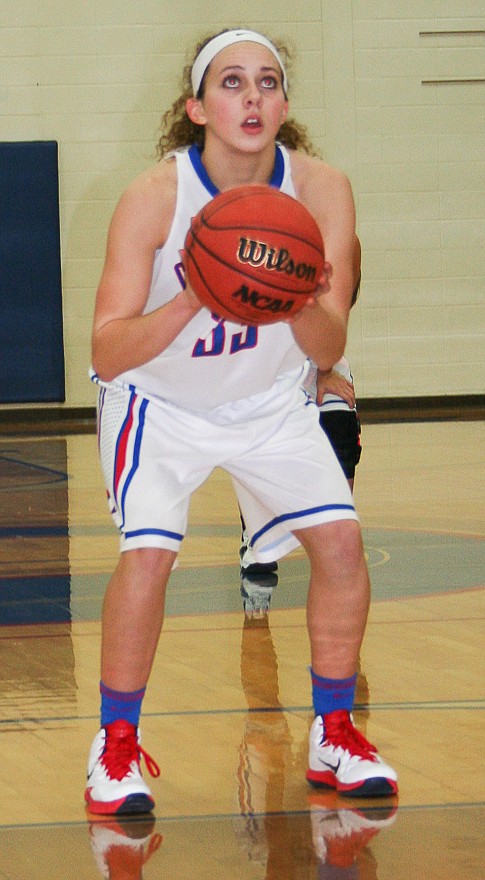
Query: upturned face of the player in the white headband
pixel 244 103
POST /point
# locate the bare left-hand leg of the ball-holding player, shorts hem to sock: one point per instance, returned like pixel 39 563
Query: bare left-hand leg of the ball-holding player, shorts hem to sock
pixel 133 613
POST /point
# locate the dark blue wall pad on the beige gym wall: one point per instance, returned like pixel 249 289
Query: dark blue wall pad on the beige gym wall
pixel 31 337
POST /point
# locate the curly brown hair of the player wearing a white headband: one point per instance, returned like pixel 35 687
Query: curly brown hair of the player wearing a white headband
pixel 178 131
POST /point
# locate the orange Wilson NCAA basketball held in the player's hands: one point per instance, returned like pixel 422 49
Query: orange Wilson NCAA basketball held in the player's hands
pixel 254 255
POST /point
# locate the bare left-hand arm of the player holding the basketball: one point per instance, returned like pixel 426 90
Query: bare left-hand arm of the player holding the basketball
pixel 124 338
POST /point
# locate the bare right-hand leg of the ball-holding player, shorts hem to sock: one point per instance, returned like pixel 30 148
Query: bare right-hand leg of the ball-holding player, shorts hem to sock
pixel 338 596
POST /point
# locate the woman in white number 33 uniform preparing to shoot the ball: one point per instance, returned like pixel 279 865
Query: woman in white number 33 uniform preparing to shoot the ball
pixel 182 392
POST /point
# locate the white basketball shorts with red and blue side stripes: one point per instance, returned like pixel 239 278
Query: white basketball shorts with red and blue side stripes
pixel 155 455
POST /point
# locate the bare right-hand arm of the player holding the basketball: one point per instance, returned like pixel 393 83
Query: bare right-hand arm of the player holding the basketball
pixel 321 328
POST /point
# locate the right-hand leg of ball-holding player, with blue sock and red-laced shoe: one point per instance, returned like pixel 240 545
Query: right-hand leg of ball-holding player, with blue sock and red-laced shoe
pixel 337 607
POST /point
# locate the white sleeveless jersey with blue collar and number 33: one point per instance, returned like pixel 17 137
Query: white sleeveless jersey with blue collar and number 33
pixel 212 364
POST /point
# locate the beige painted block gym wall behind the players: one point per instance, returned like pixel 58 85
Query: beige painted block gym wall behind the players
pixel 392 92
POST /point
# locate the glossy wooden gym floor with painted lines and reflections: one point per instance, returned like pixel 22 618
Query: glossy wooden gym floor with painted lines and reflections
pixel 227 710
